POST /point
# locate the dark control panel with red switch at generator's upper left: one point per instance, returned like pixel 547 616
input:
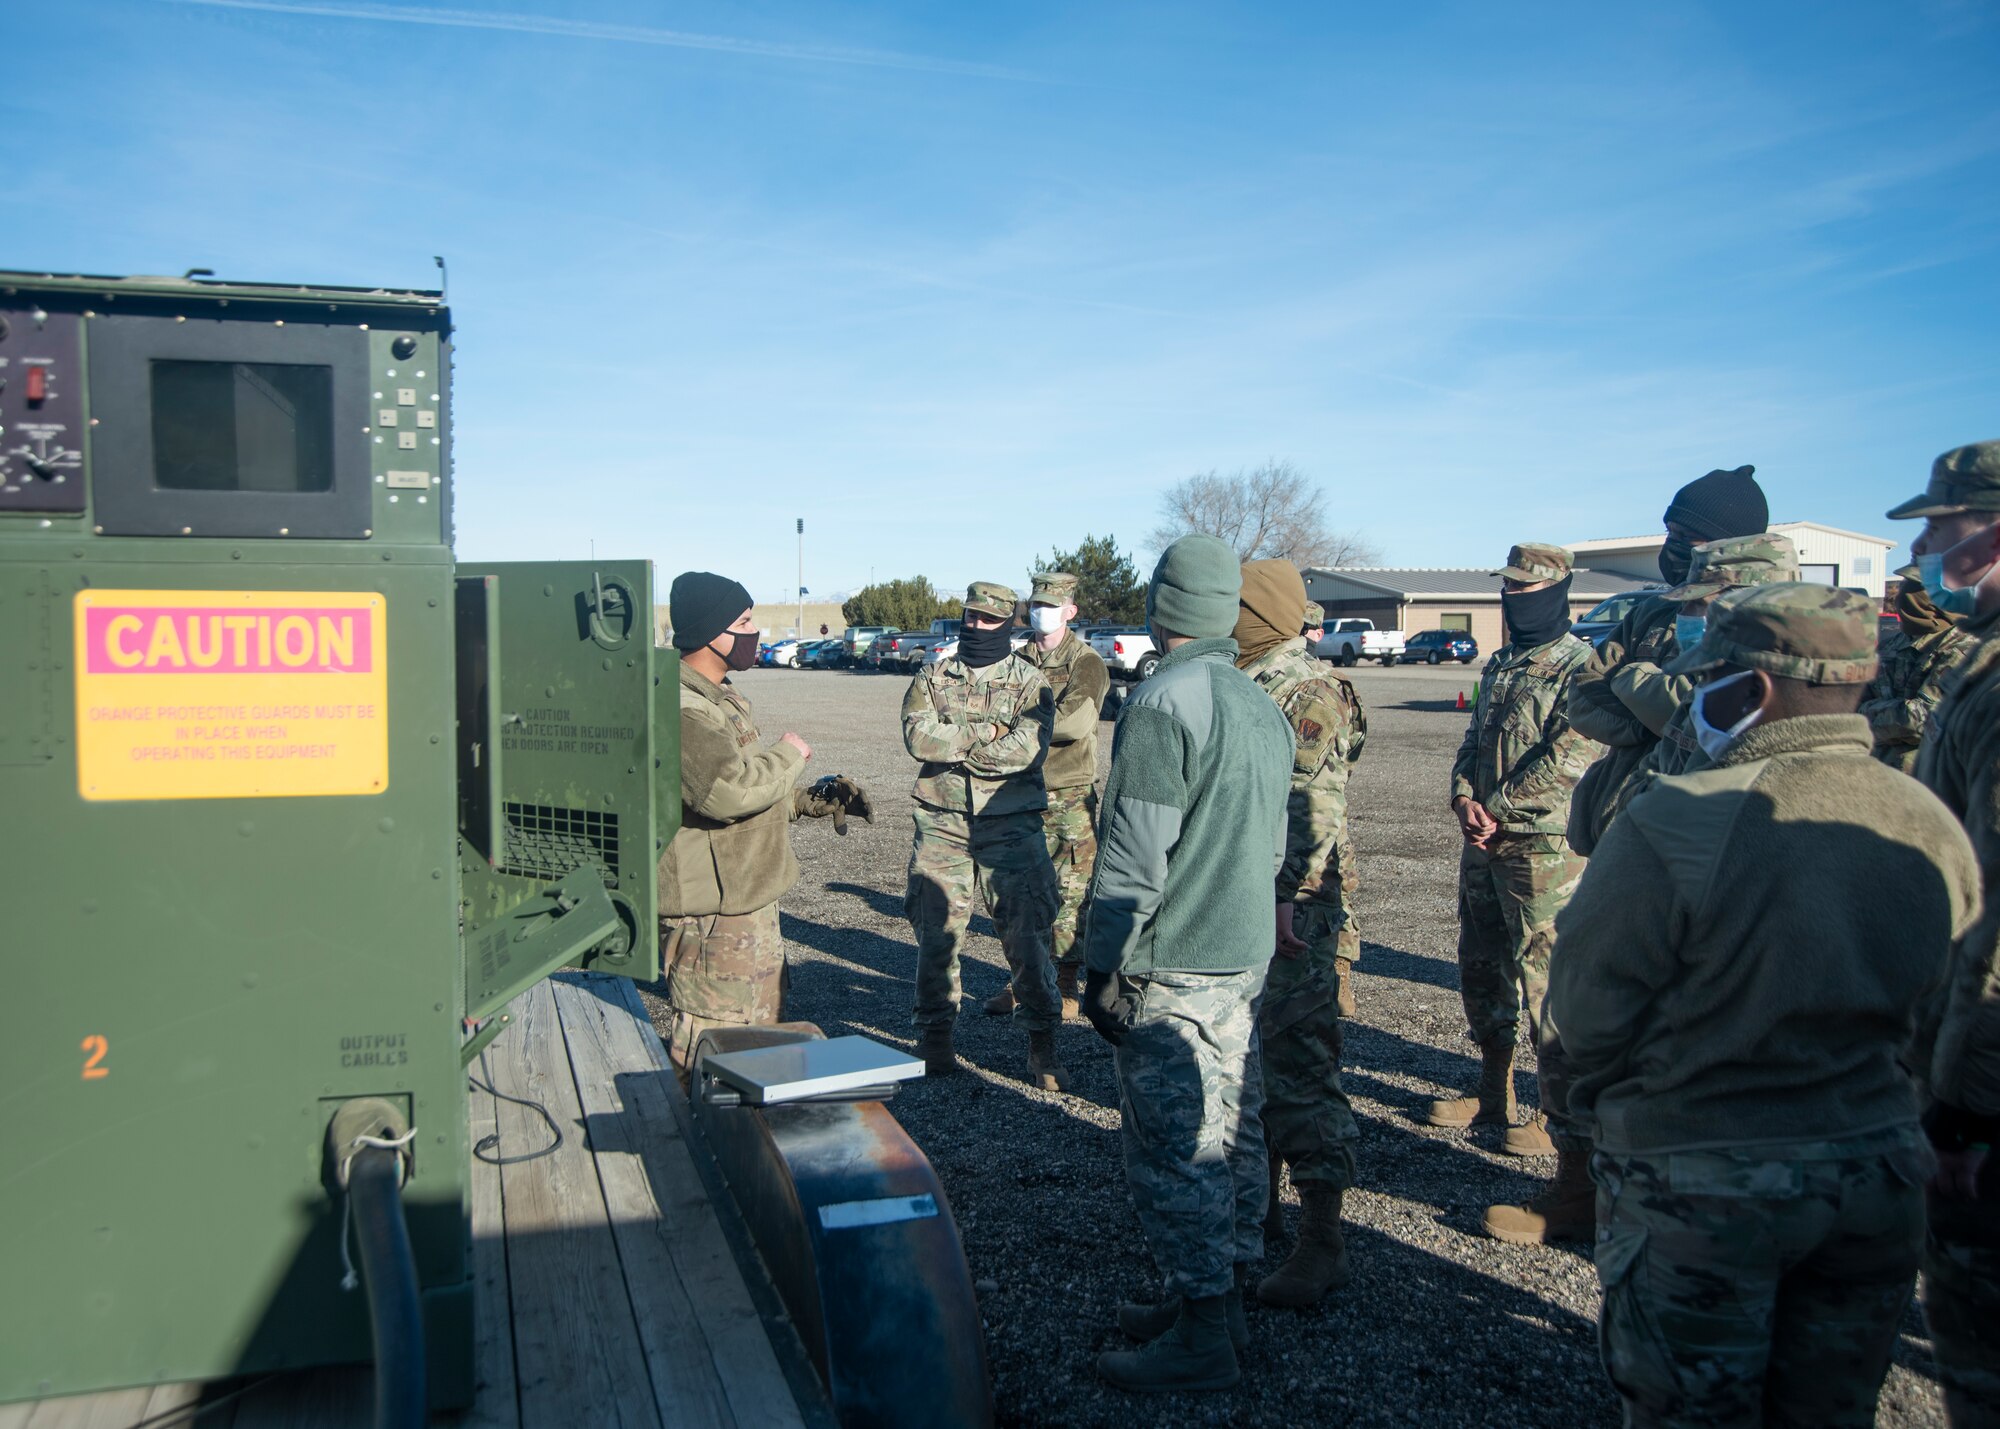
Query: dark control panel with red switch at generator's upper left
pixel 41 411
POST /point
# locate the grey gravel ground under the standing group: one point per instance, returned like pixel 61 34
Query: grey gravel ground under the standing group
pixel 1441 1324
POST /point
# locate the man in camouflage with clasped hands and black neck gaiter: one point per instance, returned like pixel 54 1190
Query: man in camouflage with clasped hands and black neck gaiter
pixel 1511 794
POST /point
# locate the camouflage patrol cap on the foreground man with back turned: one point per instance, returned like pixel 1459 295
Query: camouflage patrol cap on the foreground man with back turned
pixel 1821 635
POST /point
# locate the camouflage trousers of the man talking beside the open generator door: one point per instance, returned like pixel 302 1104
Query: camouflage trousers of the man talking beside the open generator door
pixel 723 970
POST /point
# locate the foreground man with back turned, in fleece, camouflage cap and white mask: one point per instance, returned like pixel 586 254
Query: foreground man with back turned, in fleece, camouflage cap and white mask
pixel 1759 1160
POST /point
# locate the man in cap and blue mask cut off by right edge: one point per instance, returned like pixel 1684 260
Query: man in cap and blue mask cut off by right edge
pixel 1957 1052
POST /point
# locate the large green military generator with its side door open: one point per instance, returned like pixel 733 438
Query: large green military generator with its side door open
pixel 295 806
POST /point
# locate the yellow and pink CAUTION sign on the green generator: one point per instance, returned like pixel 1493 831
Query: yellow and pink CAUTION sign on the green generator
pixel 231 693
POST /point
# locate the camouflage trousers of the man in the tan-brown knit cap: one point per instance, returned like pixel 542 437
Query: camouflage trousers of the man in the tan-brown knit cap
pixel 1307 1116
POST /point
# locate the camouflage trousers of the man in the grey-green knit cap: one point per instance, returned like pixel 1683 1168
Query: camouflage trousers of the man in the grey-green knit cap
pixel 1189 1092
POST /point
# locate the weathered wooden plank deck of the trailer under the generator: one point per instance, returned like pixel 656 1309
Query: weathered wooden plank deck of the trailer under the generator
pixel 607 1286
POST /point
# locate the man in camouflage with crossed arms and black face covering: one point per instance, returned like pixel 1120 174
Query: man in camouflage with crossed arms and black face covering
pixel 981 724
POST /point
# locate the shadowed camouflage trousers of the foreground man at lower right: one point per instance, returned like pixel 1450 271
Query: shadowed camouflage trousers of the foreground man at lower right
pixel 1761 1286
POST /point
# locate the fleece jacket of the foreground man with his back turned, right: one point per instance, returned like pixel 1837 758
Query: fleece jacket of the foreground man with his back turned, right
pixel 1753 946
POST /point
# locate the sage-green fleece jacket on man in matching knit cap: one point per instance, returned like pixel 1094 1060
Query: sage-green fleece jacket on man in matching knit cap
pixel 1193 826
